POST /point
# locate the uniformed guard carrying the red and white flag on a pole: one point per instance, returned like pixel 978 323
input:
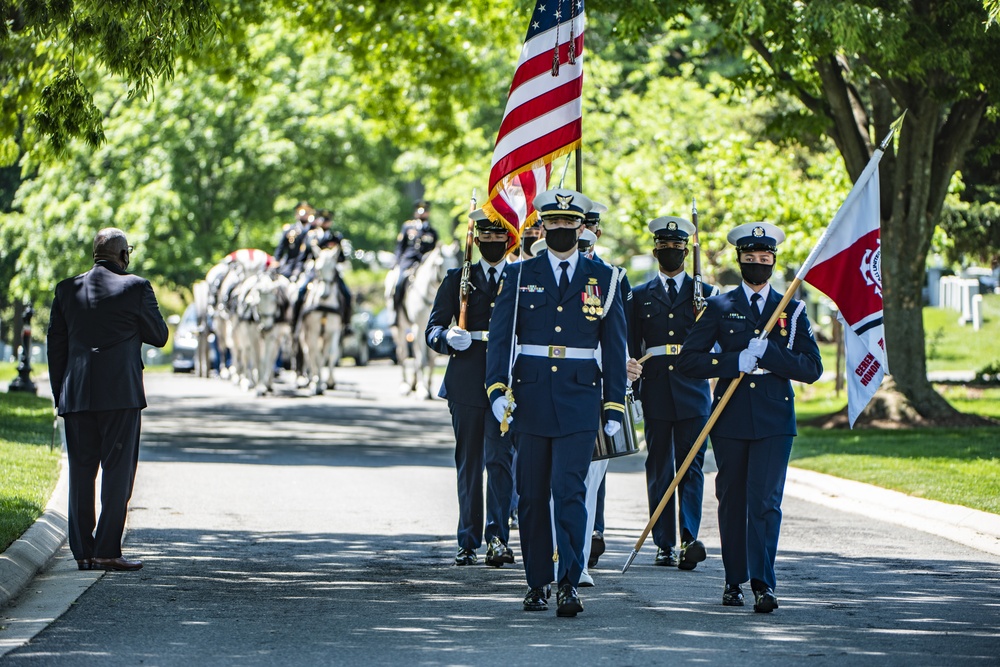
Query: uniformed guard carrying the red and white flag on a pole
pixel 752 438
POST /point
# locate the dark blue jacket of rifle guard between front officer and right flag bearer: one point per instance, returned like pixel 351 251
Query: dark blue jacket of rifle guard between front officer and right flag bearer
pixel 666 392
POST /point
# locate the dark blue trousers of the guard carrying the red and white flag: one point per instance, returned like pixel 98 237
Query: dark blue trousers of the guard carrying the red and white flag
pixel 749 486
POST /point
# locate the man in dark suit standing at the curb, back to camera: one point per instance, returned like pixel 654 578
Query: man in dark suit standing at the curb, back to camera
pixel 99 321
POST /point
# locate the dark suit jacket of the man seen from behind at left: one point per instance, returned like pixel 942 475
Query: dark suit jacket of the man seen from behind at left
pixel 99 321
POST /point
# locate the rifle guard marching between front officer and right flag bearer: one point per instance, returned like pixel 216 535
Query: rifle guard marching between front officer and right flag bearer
pixel 676 406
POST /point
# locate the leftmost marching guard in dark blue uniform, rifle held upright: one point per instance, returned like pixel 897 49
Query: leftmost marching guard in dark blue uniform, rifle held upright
pixel 477 431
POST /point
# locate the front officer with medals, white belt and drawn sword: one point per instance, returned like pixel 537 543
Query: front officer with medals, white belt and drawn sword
pixel 559 308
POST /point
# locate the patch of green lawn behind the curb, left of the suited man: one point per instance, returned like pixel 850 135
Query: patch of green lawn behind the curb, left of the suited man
pixel 28 467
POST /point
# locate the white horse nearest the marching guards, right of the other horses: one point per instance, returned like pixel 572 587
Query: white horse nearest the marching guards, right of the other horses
pixel 414 314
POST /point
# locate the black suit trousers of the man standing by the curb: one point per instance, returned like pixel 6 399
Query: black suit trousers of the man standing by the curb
pixel 107 440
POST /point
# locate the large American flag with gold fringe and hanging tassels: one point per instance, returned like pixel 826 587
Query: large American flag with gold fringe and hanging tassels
pixel 542 119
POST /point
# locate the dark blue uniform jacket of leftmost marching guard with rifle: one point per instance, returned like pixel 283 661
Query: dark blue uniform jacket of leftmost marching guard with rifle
pixel 465 377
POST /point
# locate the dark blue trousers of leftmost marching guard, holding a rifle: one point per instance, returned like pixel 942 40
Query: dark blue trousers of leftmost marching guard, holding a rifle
pixel 477 445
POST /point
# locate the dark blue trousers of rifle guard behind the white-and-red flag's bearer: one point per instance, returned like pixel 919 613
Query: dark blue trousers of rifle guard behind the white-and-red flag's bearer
pixel 668 444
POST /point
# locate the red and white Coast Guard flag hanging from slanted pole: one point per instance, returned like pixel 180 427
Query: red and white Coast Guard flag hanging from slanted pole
pixel 846 266
